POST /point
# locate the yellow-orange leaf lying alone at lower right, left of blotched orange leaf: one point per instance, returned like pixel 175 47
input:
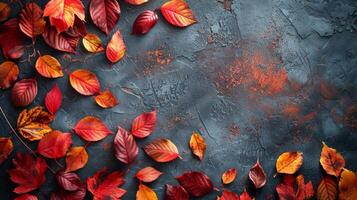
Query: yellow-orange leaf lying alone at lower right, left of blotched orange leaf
pixel 289 162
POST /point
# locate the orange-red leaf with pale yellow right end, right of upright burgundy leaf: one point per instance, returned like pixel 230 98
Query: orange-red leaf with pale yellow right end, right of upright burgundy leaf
pixel 162 150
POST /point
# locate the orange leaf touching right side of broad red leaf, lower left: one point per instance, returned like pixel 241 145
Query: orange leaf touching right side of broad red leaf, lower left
pixel 77 158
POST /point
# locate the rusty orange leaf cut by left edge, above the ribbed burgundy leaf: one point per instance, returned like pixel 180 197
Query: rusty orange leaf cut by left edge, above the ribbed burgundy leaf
pixel 9 72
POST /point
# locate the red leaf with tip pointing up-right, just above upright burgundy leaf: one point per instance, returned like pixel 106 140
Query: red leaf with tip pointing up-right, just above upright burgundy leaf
pixel 144 124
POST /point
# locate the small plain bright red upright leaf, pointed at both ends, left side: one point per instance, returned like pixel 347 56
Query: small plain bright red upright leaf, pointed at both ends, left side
pixel 53 99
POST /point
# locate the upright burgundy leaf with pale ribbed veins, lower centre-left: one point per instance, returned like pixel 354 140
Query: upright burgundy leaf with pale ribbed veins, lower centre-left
pixel 125 147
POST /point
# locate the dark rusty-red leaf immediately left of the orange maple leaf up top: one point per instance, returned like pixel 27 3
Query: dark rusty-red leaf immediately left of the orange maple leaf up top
pixel 31 22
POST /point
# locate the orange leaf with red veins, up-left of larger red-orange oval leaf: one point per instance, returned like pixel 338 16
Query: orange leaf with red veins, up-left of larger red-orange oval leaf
pixel 48 67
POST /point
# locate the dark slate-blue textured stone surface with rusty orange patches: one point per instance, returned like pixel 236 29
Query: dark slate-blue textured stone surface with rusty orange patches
pixel 254 77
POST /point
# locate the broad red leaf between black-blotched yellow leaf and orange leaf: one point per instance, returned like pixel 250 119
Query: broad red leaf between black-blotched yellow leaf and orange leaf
pixel 55 144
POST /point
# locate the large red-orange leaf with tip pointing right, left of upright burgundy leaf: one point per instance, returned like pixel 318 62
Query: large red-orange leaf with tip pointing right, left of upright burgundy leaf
pixel 91 129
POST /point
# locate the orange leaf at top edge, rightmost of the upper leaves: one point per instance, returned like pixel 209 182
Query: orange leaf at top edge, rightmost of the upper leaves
pixel 178 13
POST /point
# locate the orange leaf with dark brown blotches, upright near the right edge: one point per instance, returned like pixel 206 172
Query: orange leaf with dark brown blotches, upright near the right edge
pixel 332 161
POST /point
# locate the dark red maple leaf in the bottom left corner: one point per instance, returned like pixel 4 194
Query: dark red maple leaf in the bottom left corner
pixel 29 173
